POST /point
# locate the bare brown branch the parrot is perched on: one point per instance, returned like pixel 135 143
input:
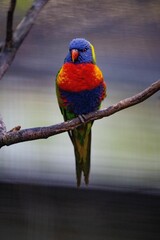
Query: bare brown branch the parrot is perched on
pixel 16 135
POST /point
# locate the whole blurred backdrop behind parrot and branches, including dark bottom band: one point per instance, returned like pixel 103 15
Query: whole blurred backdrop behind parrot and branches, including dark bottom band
pixel 40 175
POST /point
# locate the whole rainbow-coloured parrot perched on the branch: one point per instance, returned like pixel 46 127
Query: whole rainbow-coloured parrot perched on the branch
pixel 80 89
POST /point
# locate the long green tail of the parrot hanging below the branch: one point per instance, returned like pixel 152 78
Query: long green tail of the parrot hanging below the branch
pixel 81 139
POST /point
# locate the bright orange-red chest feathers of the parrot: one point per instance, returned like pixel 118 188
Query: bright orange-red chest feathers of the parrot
pixel 79 77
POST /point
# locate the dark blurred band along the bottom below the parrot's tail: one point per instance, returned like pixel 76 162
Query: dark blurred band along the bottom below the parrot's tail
pixel 41 212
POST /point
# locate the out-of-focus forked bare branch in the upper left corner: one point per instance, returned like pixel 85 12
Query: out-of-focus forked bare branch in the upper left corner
pixel 7 54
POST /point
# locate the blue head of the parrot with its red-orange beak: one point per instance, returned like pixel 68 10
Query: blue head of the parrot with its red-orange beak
pixel 80 51
